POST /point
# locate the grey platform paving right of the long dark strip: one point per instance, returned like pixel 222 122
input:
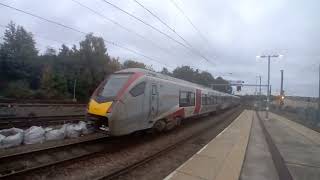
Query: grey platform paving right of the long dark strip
pixel 298 145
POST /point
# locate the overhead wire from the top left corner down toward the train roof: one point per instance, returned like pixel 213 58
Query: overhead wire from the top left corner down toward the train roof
pixel 81 32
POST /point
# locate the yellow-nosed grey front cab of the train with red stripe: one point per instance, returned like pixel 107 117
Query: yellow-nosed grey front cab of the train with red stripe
pixel 124 103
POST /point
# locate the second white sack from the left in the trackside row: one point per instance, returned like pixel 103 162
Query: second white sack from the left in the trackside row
pixel 33 135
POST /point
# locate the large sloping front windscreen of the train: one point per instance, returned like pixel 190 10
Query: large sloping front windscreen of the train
pixel 114 84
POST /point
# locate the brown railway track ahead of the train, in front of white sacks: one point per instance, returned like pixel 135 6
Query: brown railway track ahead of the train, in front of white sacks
pixel 15 164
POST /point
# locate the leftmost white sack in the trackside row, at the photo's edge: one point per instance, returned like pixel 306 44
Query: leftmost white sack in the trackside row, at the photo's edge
pixel 11 137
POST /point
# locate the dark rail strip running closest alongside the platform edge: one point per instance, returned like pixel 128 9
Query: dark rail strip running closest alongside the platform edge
pixel 223 124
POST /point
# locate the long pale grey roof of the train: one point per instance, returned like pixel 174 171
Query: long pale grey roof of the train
pixel 166 77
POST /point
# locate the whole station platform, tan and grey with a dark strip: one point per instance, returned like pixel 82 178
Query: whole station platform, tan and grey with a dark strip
pixel 253 148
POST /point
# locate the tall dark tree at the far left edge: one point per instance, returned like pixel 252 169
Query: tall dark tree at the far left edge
pixel 18 56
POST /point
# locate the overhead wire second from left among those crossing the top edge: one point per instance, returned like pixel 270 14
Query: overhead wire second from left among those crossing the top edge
pixel 156 29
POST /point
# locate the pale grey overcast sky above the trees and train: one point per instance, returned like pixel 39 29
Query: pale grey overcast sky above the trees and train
pixel 232 34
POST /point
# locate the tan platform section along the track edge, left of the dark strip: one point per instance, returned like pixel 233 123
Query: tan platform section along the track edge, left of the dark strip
pixel 221 158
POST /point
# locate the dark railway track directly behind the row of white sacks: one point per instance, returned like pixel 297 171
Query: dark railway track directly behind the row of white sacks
pixel 22 122
